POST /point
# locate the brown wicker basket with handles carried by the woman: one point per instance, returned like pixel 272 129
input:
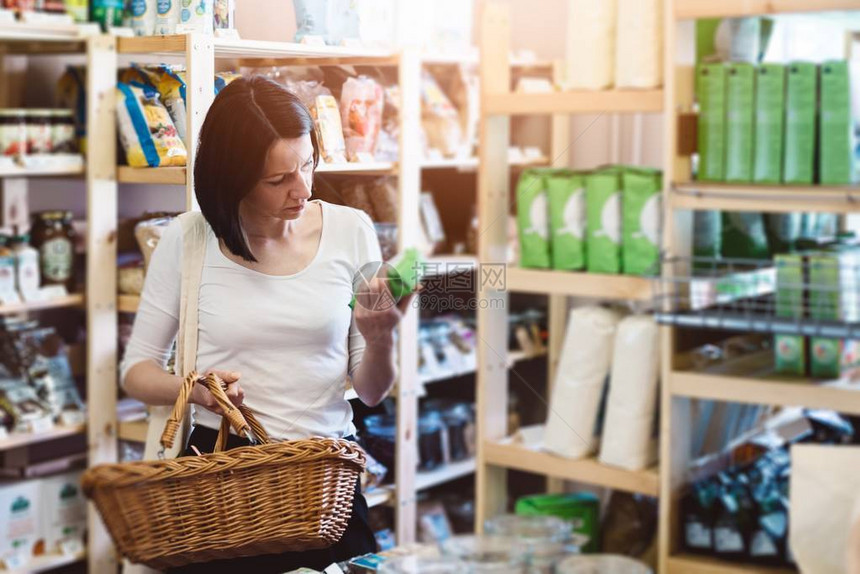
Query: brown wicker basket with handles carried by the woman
pixel 272 498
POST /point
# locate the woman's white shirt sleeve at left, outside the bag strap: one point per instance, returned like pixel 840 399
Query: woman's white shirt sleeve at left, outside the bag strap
pixel 157 321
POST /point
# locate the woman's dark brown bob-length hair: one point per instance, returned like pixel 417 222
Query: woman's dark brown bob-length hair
pixel 246 118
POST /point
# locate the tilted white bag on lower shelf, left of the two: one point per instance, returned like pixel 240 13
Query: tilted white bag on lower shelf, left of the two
pixel 582 369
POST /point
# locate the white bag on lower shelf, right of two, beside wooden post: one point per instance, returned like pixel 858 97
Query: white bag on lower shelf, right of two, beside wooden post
pixel 627 440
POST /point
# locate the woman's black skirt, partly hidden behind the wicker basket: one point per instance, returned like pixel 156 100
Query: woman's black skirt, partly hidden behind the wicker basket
pixel 356 540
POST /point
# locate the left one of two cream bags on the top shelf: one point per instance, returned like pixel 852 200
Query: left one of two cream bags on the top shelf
pixel 590 44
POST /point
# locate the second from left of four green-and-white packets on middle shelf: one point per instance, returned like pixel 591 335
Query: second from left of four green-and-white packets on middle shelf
pixel 566 196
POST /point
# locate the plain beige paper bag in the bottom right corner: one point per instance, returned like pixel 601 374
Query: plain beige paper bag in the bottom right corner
pixel 825 487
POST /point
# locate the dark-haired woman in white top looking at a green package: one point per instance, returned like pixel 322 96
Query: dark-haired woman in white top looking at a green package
pixel 274 316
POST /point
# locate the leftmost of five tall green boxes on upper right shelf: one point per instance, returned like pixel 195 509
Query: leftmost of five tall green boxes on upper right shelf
pixel 711 93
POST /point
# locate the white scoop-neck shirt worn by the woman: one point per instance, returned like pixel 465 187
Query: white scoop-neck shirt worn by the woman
pixel 291 337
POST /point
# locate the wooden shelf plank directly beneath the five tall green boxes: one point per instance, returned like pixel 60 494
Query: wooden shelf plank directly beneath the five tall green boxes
pixel 765 198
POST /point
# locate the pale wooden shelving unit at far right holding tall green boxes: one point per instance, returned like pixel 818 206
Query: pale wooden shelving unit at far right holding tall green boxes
pixel 683 195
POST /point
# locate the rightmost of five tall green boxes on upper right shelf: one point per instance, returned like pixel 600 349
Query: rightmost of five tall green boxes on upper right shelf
pixel 835 154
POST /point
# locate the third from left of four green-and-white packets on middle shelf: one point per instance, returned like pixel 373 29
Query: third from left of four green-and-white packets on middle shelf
pixel 603 209
